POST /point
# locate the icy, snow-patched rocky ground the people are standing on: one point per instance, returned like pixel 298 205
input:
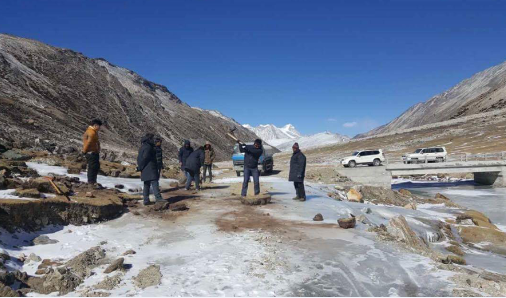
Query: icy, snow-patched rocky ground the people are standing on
pixel 346 239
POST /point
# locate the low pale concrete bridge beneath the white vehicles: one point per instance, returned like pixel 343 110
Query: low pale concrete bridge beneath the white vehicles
pixel 485 172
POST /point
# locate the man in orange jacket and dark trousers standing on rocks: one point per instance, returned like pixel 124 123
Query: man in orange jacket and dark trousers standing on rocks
pixel 91 149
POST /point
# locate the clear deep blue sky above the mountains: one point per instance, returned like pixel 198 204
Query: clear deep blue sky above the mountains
pixel 342 66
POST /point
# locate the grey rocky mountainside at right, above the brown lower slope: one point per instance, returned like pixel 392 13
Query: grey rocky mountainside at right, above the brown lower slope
pixel 483 92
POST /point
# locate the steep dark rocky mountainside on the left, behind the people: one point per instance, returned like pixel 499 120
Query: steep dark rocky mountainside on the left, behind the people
pixel 48 96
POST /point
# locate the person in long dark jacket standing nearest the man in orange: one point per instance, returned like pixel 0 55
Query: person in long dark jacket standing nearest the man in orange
pixel 147 164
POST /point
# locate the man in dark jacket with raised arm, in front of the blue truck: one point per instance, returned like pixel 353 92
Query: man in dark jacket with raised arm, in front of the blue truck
pixel 251 155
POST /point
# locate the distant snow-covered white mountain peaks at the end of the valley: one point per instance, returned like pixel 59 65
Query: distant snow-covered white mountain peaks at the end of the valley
pixel 284 137
